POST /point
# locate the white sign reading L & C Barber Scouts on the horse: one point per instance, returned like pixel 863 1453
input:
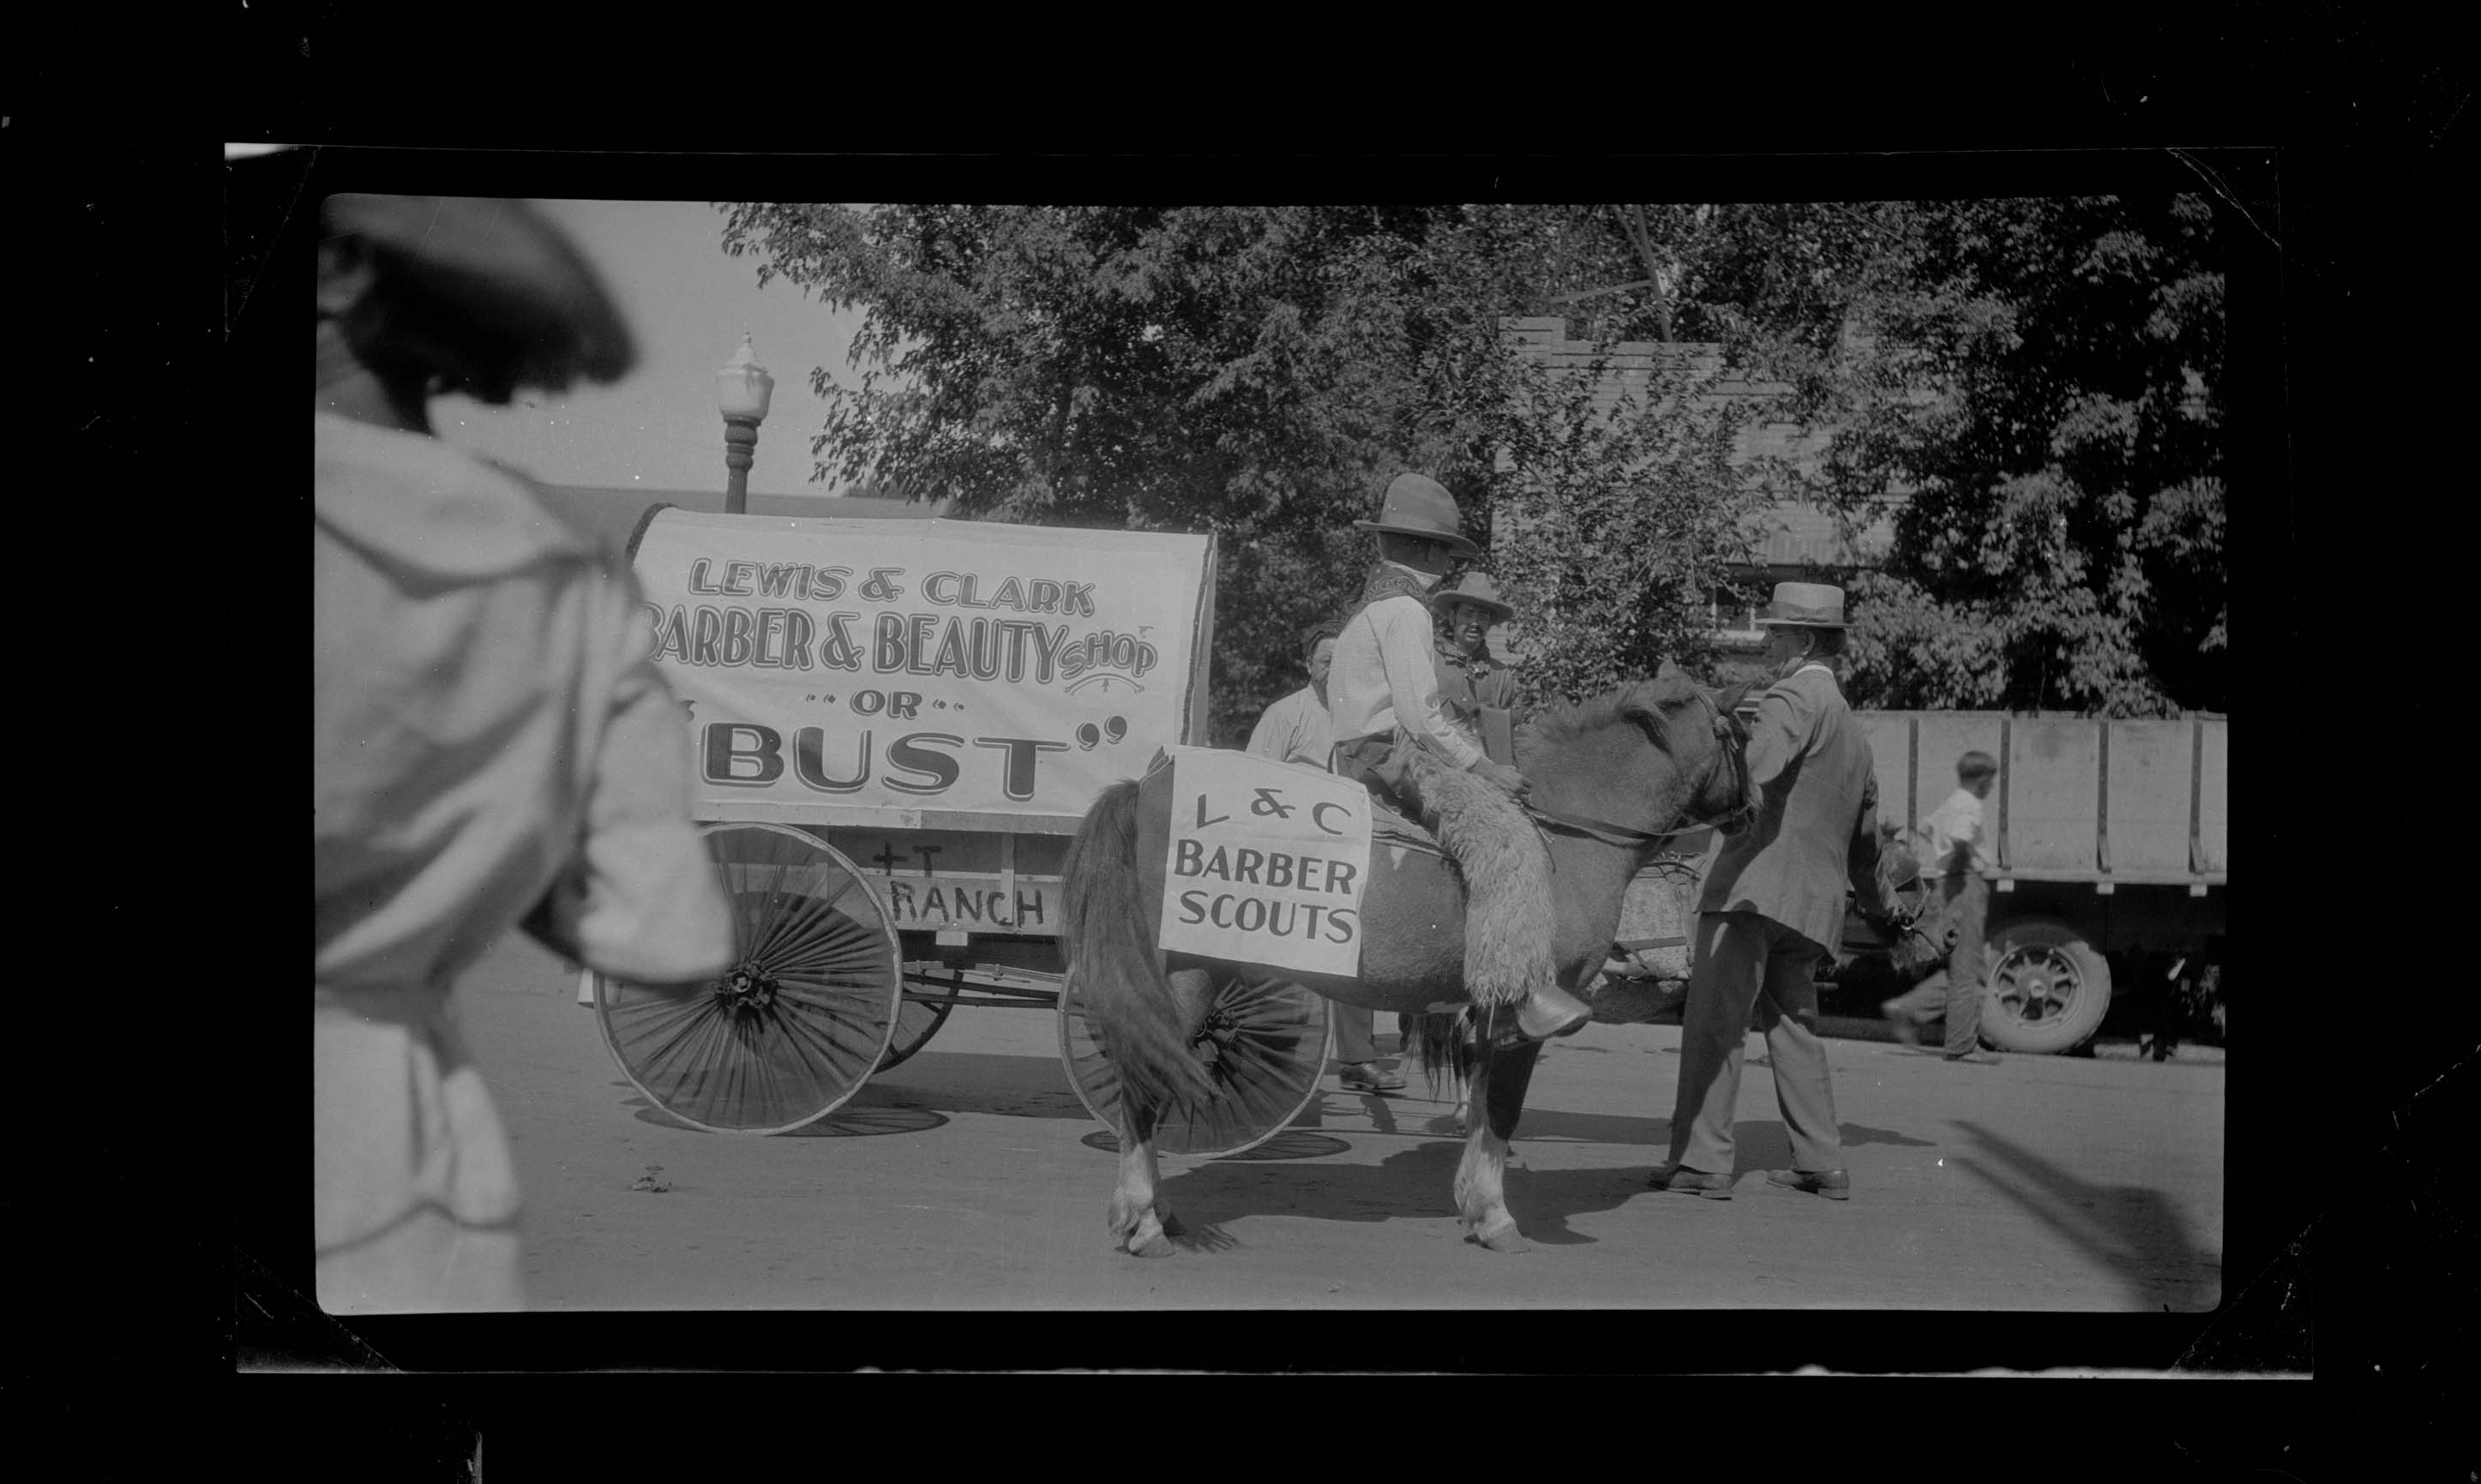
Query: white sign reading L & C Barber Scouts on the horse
pixel 1267 862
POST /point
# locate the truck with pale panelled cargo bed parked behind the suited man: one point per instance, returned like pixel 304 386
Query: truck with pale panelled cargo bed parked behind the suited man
pixel 2110 847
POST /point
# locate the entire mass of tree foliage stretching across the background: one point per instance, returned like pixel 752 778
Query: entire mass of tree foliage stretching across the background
pixel 2026 388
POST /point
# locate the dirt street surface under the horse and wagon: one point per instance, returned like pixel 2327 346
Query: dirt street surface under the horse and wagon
pixel 971 1178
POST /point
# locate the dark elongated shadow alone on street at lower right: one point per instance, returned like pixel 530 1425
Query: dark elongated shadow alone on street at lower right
pixel 2132 1230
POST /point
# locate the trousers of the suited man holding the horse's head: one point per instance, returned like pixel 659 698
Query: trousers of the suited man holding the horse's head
pixel 1750 964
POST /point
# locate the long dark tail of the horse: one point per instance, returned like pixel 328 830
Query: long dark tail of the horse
pixel 1113 964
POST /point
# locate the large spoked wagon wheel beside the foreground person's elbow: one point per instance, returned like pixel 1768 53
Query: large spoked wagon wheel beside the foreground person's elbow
pixel 800 1019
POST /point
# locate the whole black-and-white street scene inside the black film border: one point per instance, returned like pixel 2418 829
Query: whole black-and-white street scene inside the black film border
pixel 1654 756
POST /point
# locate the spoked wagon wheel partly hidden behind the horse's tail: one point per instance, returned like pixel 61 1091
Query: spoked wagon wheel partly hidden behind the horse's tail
pixel 1264 1046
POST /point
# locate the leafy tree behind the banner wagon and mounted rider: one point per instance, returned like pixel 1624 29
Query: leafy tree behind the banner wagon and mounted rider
pixel 1259 373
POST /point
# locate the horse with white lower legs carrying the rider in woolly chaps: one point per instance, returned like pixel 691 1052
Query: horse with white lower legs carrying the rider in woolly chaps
pixel 1609 783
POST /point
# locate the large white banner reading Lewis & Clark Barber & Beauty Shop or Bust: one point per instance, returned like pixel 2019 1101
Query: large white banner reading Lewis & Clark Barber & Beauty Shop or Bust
pixel 924 671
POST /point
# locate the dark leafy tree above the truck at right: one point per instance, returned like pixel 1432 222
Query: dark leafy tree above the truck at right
pixel 2041 381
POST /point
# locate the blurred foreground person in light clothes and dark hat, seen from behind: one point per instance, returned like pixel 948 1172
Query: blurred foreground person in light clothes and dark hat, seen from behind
pixel 490 743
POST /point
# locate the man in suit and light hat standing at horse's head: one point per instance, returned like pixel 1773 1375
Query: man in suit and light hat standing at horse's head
pixel 1773 910
